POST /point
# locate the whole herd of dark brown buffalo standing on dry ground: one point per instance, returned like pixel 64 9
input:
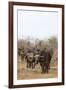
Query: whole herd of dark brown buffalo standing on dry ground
pixel 33 57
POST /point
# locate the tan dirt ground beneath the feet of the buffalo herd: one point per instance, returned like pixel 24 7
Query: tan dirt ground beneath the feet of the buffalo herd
pixel 25 73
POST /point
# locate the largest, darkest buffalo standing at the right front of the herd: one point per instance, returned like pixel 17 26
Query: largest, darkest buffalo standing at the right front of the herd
pixel 44 60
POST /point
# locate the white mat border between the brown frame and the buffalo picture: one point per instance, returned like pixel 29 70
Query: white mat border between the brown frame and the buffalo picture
pixel 37 81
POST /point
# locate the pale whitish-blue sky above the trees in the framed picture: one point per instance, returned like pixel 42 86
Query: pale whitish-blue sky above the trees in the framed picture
pixel 37 24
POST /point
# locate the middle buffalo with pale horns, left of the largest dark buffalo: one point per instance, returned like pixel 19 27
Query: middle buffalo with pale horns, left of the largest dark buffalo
pixel 32 58
